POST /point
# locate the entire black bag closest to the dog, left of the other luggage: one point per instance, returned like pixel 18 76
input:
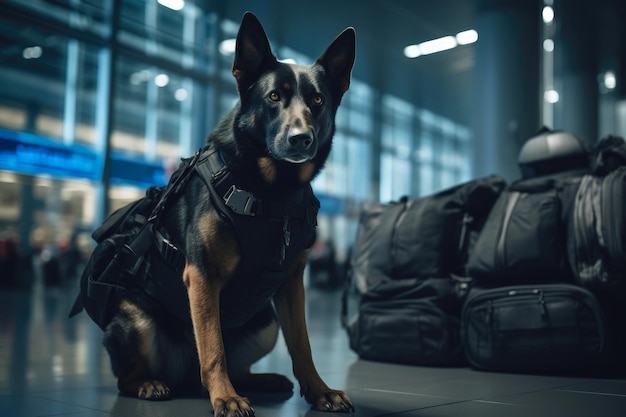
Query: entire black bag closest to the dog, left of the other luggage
pixel 404 263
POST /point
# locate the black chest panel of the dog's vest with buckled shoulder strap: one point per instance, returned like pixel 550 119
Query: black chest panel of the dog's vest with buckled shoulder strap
pixel 270 234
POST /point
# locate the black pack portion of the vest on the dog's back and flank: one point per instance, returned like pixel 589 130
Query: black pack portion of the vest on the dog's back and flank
pixel 133 254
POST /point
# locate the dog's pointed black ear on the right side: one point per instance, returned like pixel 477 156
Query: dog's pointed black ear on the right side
pixel 338 60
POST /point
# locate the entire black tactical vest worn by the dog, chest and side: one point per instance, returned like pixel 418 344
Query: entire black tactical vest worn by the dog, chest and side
pixel 134 252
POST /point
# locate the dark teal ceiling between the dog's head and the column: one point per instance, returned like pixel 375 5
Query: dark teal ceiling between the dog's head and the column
pixel 383 29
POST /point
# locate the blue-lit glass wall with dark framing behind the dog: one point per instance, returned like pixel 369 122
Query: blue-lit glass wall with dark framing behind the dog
pixel 75 92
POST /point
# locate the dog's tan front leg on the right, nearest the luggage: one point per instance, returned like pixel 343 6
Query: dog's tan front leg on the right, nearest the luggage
pixel 289 301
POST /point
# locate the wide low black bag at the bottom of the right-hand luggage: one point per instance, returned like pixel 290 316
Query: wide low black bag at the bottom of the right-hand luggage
pixel 550 327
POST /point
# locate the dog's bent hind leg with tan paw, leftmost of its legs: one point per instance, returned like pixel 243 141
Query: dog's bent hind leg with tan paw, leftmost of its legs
pixel 129 339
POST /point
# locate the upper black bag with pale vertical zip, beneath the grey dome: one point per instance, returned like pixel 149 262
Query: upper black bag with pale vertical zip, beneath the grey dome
pixel 523 240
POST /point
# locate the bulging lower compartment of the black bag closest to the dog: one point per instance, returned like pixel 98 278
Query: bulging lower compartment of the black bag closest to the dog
pixel 410 321
